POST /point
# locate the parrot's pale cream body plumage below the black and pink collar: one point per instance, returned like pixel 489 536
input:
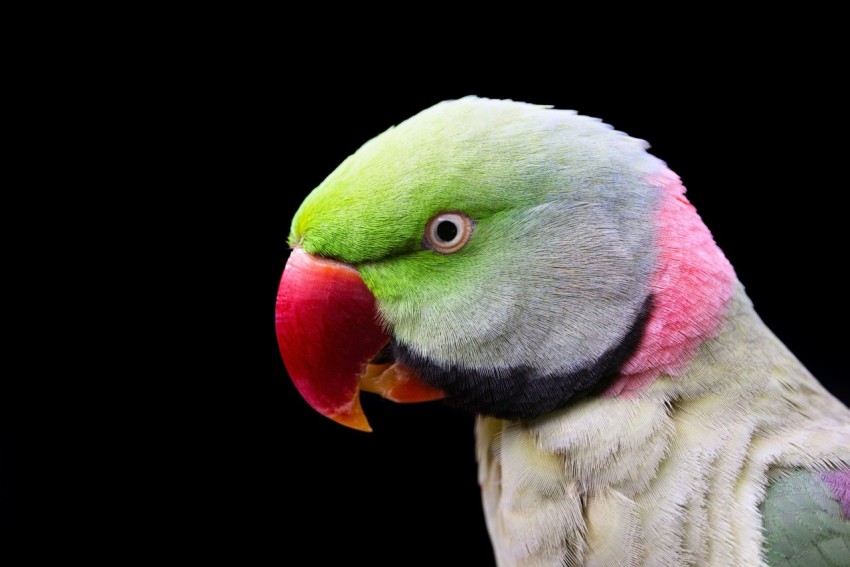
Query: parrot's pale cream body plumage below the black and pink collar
pixel 676 475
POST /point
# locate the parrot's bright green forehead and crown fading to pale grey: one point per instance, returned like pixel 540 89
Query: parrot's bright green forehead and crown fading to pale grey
pixel 481 156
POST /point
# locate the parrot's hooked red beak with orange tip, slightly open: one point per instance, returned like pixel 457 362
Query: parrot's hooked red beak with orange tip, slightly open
pixel 328 331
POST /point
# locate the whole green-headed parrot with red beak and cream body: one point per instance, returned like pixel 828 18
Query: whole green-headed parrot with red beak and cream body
pixel 544 271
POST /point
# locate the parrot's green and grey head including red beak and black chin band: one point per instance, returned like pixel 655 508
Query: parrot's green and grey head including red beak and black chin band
pixel 504 256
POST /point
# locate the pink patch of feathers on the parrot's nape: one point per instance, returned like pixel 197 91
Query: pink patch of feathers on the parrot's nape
pixel 692 285
